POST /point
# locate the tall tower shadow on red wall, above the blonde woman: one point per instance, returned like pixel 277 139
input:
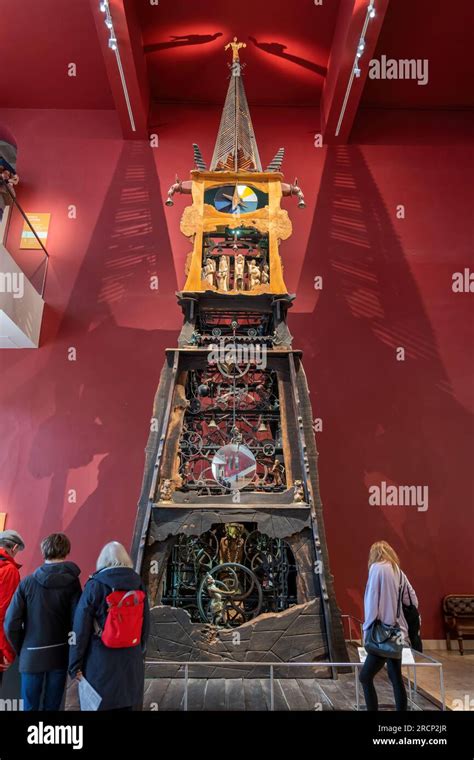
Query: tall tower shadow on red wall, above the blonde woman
pixel 383 419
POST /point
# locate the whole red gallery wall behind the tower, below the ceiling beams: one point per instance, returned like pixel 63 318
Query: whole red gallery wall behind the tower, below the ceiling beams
pixel 83 424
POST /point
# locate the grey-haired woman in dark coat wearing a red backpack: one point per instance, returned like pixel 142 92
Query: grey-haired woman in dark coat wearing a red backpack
pixel 110 631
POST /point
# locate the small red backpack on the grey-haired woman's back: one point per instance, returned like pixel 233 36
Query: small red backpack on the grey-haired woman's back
pixel 124 621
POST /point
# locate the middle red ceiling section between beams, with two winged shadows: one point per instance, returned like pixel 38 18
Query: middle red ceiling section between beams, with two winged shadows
pixel 288 45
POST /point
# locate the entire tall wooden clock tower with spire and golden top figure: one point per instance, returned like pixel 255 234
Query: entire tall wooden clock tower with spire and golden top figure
pixel 229 534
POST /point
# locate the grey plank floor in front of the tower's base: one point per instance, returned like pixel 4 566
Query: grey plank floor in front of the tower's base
pixel 206 694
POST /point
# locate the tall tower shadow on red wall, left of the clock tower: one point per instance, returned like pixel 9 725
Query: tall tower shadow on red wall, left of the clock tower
pixel 88 444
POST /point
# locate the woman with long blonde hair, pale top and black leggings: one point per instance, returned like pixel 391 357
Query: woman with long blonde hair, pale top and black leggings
pixel 385 627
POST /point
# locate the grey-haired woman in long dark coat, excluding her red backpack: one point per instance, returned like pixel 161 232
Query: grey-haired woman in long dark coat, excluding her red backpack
pixel 117 675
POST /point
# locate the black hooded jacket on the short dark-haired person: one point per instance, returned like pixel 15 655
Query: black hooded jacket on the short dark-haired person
pixel 39 619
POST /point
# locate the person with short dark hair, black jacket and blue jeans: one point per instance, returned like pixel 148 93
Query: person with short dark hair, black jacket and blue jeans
pixel 39 621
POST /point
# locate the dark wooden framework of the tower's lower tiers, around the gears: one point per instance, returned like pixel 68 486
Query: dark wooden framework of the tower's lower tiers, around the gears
pixel 310 629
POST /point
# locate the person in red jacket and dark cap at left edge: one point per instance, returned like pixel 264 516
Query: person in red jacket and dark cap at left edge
pixel 10 544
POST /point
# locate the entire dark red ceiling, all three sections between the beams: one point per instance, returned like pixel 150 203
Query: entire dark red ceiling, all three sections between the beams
pixel 288 46
